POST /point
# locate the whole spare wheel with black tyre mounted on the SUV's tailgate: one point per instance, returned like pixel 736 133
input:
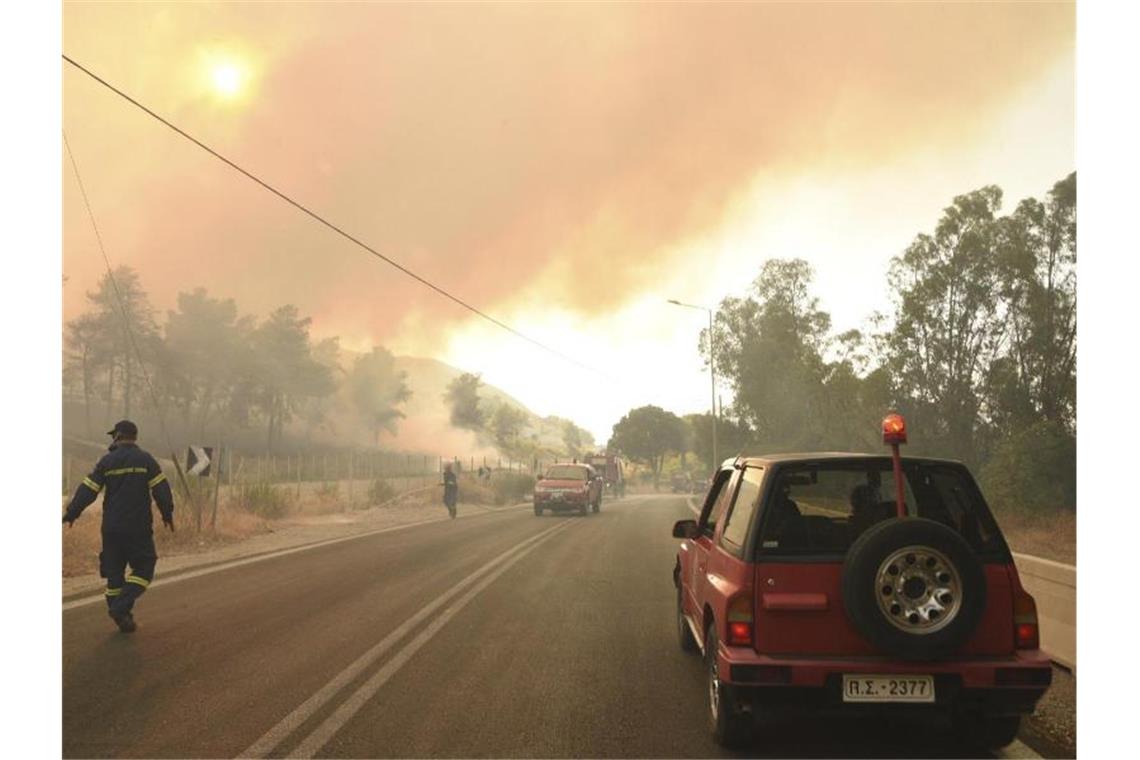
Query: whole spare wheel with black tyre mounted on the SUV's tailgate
pixel 914 589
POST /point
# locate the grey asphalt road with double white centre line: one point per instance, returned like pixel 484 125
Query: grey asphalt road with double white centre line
pixel 501 635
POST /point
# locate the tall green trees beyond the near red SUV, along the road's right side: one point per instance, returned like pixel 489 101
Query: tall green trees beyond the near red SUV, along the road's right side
pixel 978 352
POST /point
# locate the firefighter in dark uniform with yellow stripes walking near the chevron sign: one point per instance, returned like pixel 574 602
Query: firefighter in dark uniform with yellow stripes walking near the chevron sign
pixel 131 476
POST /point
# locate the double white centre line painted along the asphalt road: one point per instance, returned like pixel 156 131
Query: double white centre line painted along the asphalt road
pixel 307 709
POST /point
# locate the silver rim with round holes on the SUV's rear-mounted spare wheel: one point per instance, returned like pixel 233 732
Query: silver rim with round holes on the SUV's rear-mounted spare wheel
pixel 919 590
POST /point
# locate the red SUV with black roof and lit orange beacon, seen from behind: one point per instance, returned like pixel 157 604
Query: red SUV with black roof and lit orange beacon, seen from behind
pixel 826 583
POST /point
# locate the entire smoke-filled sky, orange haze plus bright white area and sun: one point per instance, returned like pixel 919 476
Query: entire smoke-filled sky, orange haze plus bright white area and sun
pixel 567 168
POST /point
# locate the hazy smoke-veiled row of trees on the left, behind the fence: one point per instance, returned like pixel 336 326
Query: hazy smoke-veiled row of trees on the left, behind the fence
pixel 211 369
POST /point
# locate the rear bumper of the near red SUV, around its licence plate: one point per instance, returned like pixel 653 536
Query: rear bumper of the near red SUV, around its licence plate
pixel 1009 685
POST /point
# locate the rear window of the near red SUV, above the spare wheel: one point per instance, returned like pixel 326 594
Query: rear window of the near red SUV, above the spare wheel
pixel 820 509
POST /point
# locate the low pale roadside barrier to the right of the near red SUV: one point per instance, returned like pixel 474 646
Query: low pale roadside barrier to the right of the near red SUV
pixel 1054 587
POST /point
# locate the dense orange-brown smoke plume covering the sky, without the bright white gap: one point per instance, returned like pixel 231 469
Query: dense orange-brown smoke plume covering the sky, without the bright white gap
pixel 502 151
